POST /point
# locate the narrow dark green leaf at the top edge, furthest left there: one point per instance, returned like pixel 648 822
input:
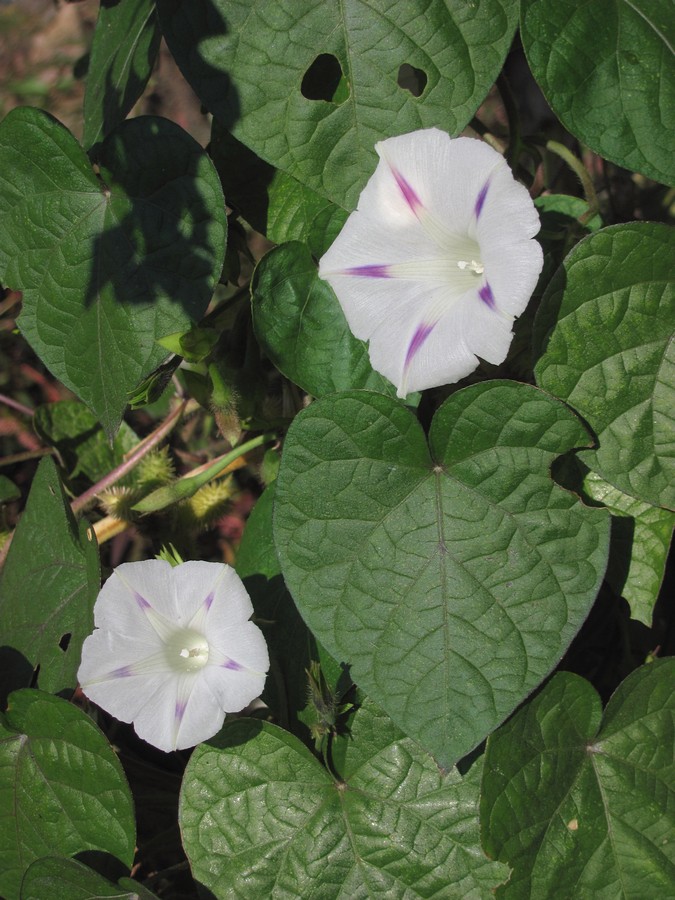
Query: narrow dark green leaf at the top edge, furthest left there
pixel 123 52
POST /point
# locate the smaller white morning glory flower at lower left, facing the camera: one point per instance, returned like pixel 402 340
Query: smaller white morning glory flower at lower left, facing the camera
pixel 173 650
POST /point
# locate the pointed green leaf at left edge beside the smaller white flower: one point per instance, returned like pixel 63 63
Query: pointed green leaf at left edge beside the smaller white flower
pixel 49 584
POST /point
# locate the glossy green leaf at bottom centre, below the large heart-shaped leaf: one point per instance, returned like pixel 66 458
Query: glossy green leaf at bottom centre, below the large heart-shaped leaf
pixel 261 817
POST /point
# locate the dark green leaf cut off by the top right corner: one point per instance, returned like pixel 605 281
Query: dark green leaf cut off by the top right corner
pixel 606 68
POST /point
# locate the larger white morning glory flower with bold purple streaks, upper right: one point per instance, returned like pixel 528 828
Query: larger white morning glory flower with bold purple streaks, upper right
pixel 437 260
